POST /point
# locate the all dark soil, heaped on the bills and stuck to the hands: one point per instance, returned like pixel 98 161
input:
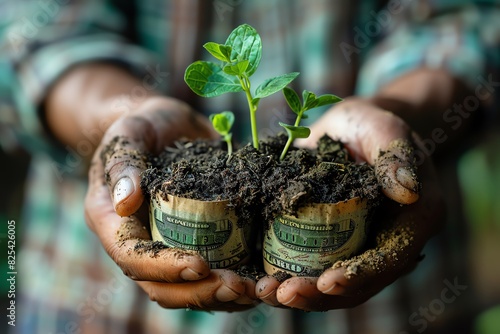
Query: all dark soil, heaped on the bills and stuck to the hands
pixel 259 186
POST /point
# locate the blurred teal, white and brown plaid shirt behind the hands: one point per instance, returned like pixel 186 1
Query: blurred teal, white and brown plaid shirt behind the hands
pixel 67 282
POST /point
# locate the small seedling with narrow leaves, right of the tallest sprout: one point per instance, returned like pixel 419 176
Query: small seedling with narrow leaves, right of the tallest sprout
pixel 309 101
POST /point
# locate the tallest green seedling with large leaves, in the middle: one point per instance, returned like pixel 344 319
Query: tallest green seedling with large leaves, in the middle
pixel 238 59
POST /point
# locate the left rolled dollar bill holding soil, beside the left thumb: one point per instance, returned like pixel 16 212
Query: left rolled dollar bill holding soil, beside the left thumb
pixel 208 227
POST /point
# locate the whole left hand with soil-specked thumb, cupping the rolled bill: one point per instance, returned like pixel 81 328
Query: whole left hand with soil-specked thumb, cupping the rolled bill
pixel 115 212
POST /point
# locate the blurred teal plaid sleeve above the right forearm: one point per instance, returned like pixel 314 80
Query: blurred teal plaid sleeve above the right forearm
pixel 460 36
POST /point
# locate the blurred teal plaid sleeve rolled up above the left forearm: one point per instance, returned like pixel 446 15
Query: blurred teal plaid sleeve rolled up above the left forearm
pixel 42 40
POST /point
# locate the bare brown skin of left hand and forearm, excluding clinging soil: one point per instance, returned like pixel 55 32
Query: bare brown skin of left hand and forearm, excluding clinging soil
pixel 150 124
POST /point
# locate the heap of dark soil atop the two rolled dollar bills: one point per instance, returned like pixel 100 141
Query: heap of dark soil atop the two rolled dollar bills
pixel 257 181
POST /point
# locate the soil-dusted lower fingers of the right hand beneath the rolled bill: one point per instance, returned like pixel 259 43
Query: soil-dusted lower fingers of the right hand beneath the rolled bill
pixel 351 282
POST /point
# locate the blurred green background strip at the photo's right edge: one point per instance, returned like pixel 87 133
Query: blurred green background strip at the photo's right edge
pixel 479 175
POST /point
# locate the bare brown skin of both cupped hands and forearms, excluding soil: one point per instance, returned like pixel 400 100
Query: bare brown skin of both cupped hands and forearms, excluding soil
pixel 157 121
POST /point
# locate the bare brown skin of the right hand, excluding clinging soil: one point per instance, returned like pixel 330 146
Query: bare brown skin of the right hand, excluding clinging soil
pixel 366 130
